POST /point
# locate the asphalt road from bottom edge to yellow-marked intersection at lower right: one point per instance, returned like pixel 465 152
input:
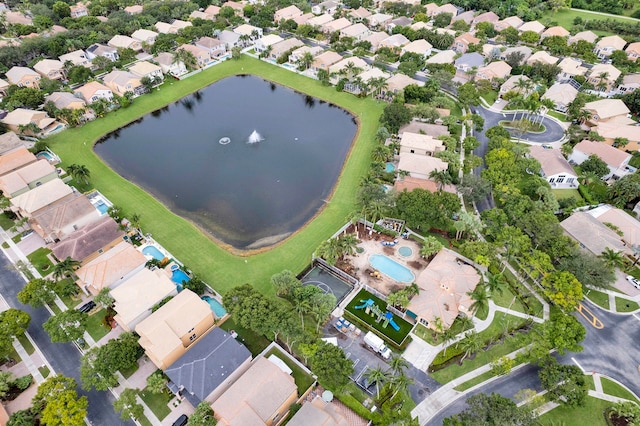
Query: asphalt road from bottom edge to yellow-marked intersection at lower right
pixel 613 351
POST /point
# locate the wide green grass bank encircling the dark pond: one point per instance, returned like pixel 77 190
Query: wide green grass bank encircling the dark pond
pixel 214 263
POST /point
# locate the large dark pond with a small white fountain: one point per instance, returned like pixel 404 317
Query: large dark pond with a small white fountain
pixel 248 195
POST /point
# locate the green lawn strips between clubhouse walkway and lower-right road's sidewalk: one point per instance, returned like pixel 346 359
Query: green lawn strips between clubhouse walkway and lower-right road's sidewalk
pixel 482 357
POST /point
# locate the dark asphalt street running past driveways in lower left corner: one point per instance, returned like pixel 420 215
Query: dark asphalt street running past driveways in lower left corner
pixel 63 357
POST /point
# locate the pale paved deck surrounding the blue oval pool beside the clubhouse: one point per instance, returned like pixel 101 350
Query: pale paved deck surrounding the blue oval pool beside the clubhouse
pixel 384 284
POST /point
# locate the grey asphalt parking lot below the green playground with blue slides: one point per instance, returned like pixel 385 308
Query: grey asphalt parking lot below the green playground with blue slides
pixel 364 359
